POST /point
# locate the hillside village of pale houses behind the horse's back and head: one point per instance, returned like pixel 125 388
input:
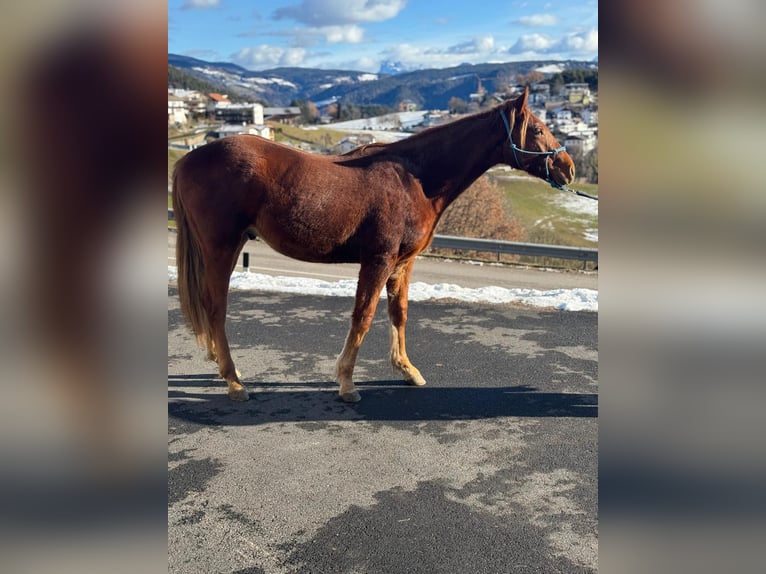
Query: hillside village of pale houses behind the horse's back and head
pixel 195 118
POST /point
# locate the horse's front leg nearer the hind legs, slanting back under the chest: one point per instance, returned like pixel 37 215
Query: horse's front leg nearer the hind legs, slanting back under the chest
pixel 372 276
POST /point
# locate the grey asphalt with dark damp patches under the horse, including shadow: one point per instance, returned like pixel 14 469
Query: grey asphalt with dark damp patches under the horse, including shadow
pixel 490 468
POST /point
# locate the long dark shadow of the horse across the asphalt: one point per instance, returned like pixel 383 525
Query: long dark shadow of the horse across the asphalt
pixel 202 399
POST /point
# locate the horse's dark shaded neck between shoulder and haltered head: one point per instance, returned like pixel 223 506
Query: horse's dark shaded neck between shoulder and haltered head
pixel 456 156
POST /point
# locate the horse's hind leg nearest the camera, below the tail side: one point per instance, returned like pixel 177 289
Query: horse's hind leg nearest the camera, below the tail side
pixel 218 273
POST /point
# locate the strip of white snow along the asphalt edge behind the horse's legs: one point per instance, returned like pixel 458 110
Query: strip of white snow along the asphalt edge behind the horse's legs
pixel 561 299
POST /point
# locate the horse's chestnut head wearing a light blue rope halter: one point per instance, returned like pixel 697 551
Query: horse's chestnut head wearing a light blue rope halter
pixel 531 146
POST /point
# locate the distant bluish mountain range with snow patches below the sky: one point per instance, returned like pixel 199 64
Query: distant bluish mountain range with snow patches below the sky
pixel 428 88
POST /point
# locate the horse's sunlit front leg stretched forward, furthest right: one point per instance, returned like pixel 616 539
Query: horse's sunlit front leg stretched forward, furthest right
pixel 397 287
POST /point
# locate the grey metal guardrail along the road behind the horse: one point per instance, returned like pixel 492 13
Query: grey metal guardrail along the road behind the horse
pixel 506 247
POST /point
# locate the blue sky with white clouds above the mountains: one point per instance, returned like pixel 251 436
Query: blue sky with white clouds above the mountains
pixel 362 34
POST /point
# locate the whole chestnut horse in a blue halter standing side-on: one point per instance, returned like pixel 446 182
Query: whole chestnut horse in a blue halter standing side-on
pixel 377 205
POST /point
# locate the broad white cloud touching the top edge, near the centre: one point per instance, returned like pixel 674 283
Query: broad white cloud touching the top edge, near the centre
pixel 319 13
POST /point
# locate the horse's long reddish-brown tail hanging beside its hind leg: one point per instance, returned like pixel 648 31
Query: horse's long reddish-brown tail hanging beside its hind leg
pixel 191 270
